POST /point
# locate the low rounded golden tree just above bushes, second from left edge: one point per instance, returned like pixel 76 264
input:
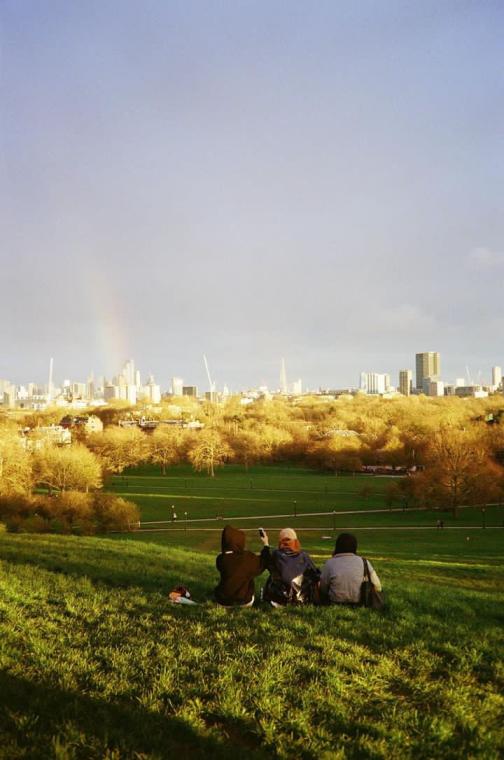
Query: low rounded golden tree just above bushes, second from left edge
pixel 63 468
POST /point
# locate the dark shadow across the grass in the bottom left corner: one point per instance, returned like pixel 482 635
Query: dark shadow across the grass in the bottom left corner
pixel 34 714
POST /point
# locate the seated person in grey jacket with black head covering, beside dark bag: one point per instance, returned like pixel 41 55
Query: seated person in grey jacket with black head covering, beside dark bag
pixel 342 575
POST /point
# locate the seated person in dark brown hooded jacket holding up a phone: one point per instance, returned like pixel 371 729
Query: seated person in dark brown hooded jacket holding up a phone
pixel 238 568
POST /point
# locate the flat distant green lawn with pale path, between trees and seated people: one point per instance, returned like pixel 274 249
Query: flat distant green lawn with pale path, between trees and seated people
pixel 235 495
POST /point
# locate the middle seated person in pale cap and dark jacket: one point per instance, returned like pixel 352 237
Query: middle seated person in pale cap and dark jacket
pixel 293 576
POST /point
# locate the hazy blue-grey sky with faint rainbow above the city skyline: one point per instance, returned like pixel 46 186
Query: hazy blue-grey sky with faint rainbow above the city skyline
pixel 251 180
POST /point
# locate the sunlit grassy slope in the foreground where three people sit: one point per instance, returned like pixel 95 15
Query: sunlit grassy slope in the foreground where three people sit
pixel 96 663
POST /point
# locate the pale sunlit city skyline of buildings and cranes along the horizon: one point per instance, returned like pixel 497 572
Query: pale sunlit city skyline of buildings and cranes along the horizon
pixel 127 386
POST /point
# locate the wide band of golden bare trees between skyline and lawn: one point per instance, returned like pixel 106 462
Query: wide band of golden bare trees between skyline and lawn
pixel 452 448
